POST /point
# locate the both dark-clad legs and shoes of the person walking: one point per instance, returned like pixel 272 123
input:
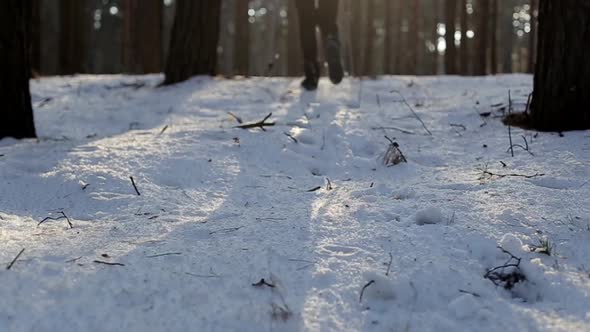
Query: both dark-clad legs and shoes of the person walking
pixel 321 14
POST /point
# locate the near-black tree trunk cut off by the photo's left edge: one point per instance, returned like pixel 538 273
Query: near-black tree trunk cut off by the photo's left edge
pixel 15 69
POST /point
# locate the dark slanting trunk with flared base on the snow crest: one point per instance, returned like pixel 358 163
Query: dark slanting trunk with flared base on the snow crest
pixel 193 46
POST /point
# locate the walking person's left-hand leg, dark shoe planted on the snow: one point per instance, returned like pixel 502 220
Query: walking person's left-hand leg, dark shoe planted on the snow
pixel 307 14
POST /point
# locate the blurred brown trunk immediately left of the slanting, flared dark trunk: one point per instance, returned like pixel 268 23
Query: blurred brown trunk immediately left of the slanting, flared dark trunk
pixel 142 35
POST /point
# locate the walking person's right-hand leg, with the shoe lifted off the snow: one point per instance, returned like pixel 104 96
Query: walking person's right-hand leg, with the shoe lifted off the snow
pixel 327 19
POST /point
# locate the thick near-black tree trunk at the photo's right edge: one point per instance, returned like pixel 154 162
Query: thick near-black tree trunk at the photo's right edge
pixel 561 99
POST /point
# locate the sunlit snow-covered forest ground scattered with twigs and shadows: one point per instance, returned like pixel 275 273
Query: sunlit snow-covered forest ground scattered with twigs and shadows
pixel 401 248
